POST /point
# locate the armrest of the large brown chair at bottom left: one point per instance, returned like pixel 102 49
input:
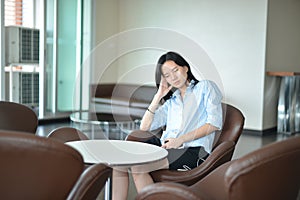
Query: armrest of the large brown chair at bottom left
pixel 91 182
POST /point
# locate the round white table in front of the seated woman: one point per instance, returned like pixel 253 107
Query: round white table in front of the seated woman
pixel 117 153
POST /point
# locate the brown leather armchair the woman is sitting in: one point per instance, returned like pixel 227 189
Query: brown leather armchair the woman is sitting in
pixel 222 151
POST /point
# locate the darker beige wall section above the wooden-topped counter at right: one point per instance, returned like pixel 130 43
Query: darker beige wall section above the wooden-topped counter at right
pixel 283 43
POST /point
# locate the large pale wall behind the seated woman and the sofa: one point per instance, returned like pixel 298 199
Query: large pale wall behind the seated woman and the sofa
pixel 232 33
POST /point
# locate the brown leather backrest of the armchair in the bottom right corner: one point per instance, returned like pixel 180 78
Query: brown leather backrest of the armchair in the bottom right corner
pixel 272 172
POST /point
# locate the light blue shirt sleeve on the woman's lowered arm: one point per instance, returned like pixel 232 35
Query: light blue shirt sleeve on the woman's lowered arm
pixel 213 104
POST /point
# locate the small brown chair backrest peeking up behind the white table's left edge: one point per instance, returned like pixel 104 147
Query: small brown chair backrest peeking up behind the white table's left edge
pixel 67 134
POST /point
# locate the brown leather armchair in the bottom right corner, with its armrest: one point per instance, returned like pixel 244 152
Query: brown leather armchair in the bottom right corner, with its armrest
pixel 271 172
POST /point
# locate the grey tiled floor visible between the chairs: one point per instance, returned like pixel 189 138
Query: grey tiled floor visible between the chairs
pixel 247 143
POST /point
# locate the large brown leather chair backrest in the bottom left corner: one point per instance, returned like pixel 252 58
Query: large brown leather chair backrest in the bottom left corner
pixel 34 167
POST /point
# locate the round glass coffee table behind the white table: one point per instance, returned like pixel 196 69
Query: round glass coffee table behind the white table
pixel 104 125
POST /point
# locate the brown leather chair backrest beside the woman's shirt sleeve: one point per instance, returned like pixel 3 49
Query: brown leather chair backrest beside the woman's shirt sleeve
pixel 233 123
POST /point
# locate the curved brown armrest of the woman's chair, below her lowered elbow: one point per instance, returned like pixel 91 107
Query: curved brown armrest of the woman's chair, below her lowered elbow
pixel 221 154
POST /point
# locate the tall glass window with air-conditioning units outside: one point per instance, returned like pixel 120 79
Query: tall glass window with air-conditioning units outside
pixel 52 82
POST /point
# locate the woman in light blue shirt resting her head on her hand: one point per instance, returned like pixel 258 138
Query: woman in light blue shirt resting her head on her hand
pixel 191 115
